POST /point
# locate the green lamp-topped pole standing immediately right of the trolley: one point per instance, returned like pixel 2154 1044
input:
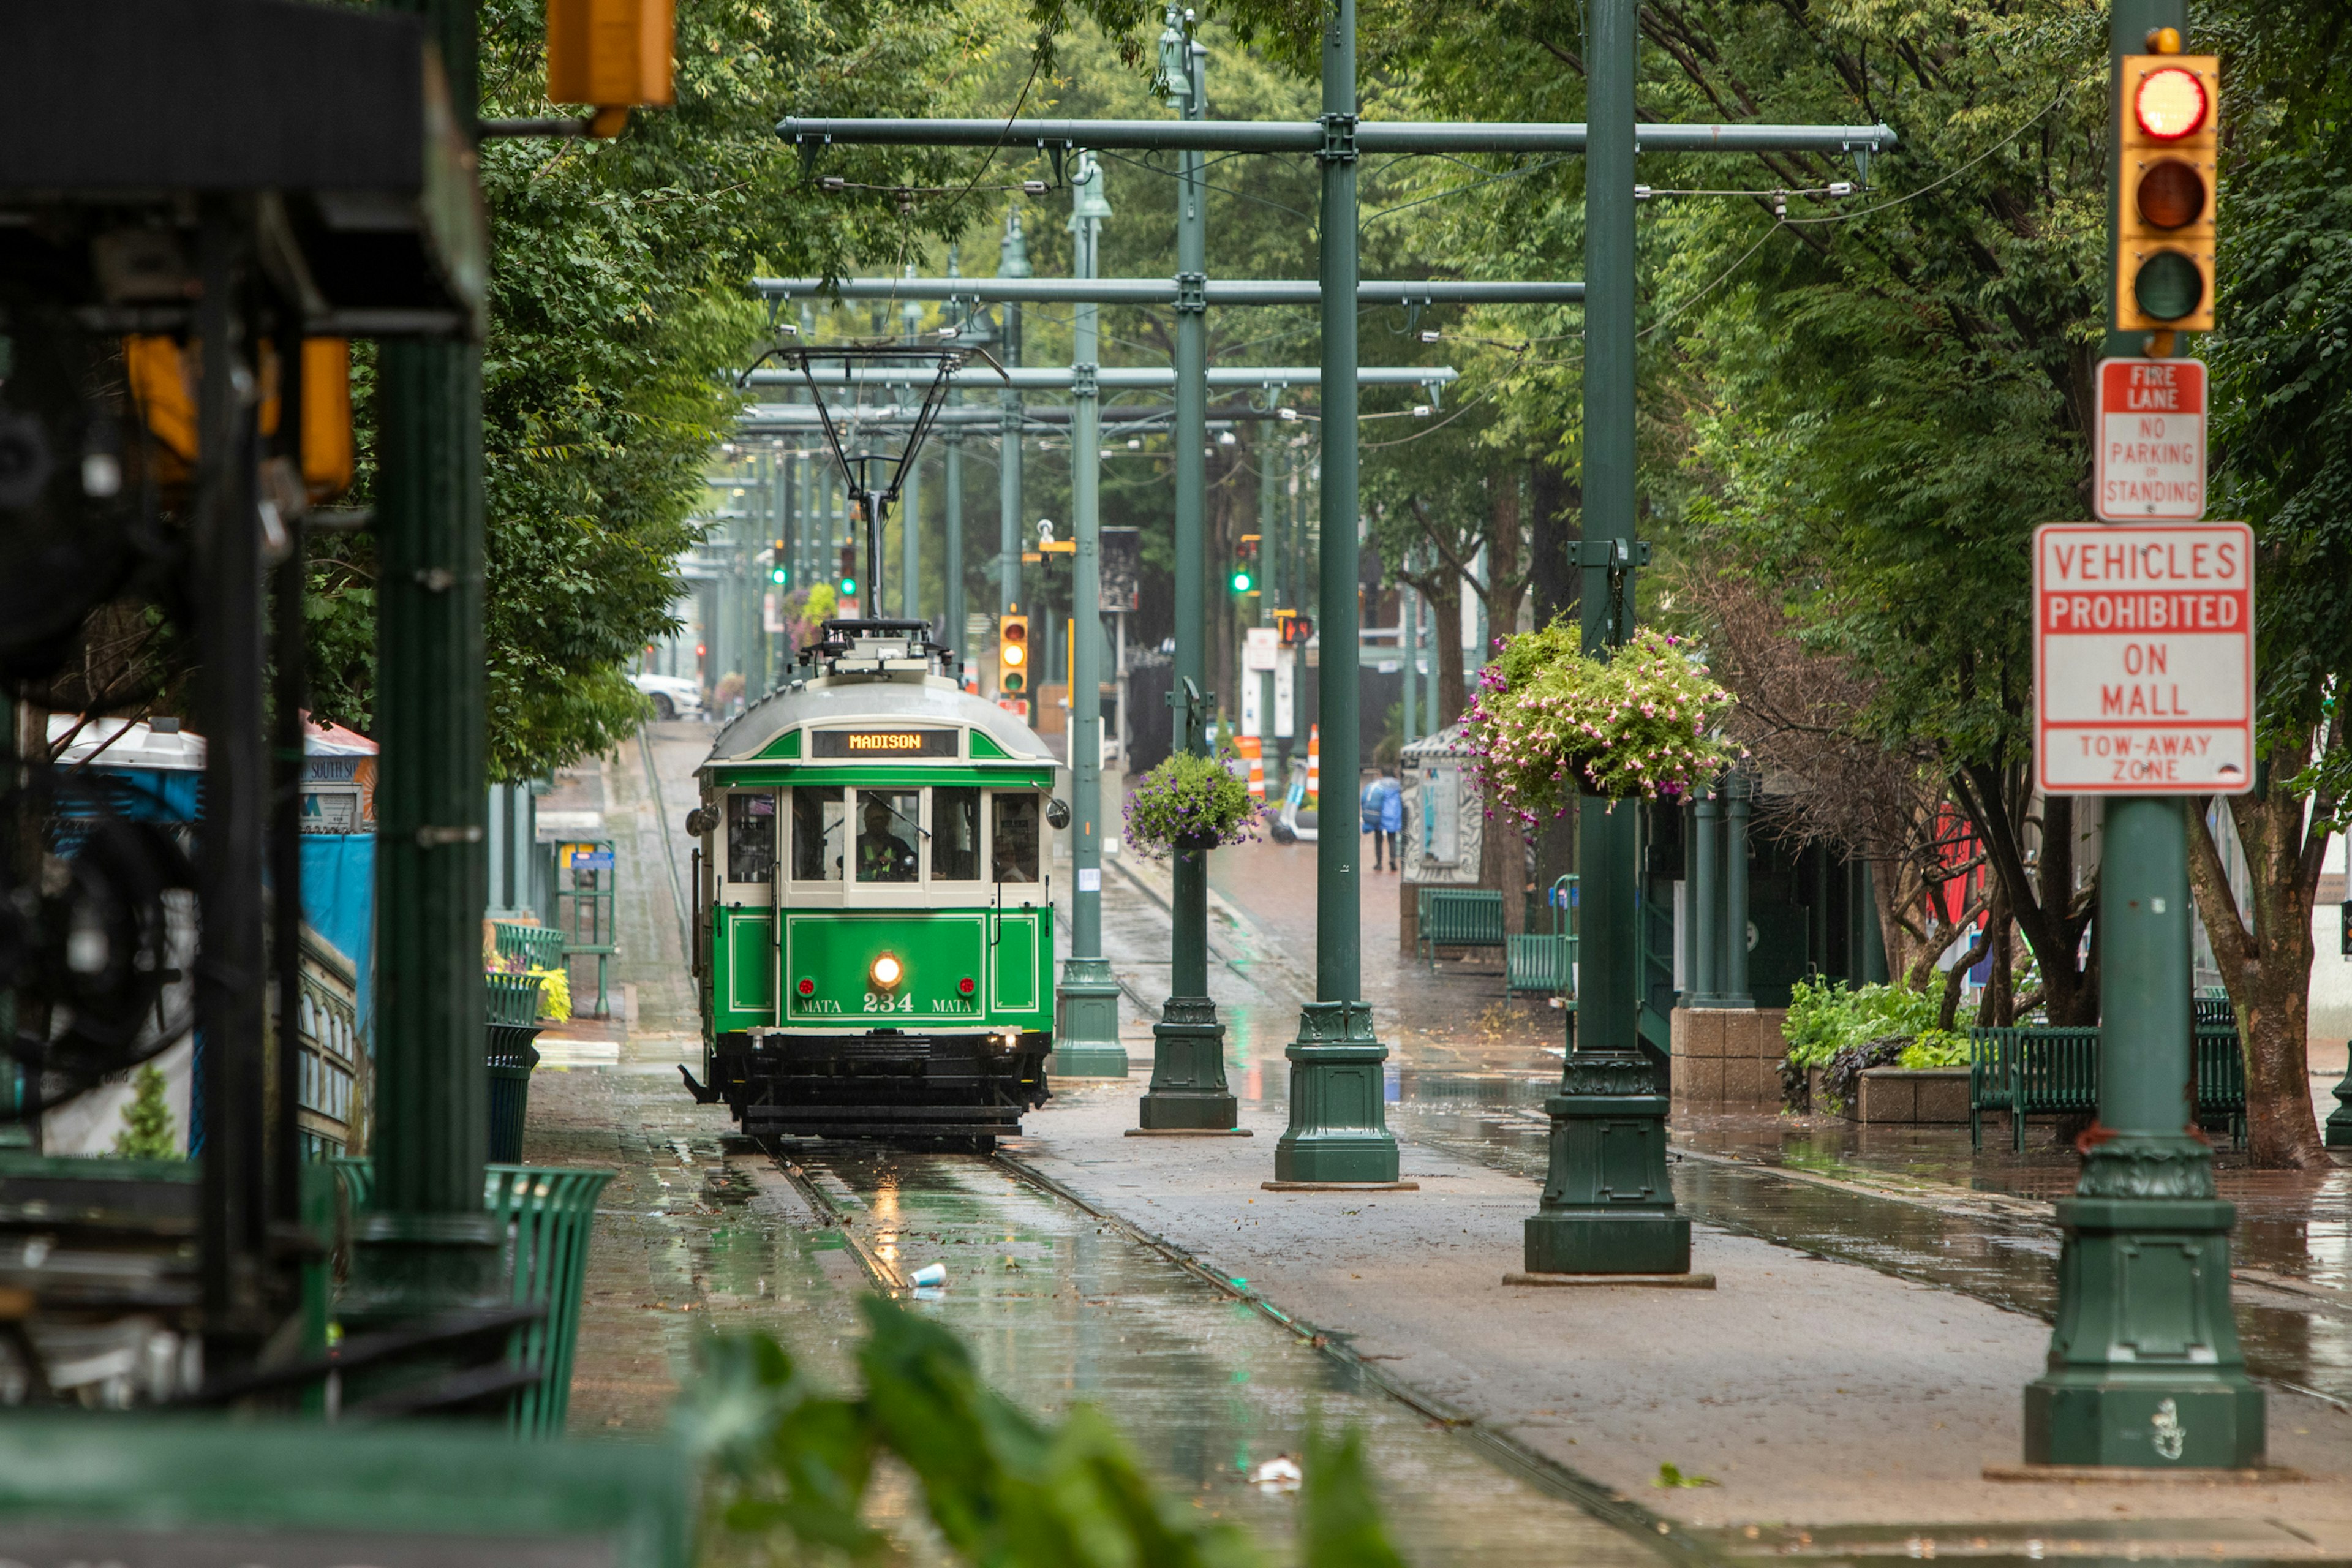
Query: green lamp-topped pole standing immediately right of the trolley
pixel 1088 1000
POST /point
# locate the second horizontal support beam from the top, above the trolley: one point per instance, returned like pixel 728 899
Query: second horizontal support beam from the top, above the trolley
pixel 1163 290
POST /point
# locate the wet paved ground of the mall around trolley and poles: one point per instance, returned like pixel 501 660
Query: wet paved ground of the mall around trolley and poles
pixel 1062 1304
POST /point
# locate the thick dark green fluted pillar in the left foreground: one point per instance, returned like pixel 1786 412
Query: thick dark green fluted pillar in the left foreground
pixel 429 1245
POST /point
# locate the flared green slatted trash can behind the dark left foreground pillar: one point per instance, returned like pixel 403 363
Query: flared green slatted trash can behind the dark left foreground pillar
pixel 549 1219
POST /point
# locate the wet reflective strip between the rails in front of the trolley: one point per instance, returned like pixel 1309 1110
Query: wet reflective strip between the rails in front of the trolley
pixel 1060 1308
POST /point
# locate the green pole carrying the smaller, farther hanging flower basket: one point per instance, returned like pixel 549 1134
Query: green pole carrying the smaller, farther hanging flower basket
pixel 1189 1043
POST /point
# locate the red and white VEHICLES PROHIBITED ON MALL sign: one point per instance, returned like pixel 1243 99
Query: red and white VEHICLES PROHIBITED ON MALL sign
pixel 2144 659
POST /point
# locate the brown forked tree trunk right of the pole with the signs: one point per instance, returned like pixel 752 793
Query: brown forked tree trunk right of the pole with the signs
pixel 2269 965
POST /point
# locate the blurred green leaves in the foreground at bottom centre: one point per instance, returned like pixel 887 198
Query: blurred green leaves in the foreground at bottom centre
pixel 789 1461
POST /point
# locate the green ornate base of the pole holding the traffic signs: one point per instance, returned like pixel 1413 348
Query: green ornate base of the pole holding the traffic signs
pixel 2144 1367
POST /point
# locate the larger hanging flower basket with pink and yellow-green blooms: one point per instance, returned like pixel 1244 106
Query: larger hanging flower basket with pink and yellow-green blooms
pixel 1551 725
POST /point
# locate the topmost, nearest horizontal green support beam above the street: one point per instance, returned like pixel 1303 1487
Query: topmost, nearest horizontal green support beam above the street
pixel 1309 138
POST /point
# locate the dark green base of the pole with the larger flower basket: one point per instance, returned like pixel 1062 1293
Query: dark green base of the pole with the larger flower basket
pixel 1608 1202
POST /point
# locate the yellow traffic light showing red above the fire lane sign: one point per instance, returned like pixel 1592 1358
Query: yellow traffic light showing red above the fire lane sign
pixel 2167 173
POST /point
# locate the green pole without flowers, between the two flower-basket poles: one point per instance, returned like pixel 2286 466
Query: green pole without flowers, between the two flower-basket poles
pixel 1339 1123
